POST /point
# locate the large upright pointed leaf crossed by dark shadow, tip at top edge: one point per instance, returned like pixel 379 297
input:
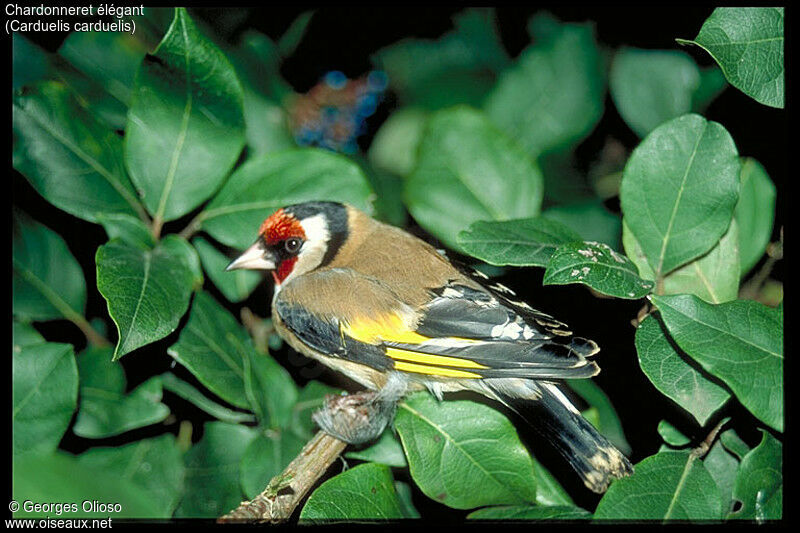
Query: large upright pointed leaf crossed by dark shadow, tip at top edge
pixel 187 108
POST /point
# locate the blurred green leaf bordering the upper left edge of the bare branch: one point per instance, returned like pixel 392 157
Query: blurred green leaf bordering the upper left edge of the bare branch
pixel 266 457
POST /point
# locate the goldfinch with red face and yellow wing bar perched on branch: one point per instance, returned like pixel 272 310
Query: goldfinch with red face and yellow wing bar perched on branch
pixel 396 315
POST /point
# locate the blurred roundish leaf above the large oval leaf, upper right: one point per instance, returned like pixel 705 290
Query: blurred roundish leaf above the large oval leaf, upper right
pixel 650 87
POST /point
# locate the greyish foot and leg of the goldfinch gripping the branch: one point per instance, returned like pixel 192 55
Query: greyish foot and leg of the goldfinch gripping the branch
pixel 361 417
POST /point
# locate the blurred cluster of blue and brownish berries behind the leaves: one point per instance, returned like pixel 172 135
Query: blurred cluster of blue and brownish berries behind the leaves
pixel 333 113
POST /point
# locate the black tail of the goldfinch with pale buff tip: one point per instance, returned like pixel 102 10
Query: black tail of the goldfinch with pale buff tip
pixel 546 408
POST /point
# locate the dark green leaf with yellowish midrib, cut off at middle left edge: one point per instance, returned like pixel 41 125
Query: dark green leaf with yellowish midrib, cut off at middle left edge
pixel 47 281
